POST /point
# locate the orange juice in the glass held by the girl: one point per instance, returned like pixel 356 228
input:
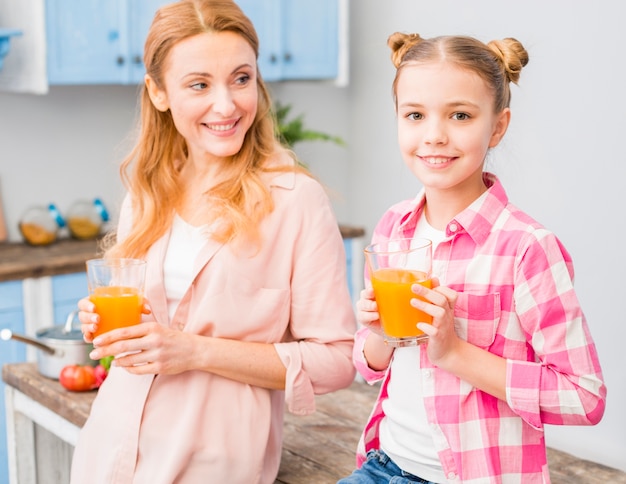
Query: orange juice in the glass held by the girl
pixel 392 289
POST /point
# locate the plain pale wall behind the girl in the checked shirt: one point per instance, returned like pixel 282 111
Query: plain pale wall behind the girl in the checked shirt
pixel 563 160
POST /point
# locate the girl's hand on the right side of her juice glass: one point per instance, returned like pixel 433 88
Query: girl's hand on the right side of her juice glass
pixel 440 301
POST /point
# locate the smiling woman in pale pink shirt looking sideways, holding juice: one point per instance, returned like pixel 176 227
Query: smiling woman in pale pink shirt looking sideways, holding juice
pixel 249 311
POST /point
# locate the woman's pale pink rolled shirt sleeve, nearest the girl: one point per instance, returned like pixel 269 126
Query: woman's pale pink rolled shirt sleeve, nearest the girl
pixel 317 348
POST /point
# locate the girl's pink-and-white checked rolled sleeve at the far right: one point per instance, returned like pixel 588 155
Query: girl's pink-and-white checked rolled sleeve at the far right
pixel 565 385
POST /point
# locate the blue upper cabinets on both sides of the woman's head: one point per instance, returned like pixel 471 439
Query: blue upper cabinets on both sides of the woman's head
pixel 101 42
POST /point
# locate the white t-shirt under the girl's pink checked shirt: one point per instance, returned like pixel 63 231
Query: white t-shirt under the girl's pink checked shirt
pixel 404 431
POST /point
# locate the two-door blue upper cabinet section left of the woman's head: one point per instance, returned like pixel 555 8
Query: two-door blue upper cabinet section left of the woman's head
pixel 97 41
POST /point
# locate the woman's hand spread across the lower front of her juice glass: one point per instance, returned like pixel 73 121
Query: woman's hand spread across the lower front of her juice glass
pixel 147 348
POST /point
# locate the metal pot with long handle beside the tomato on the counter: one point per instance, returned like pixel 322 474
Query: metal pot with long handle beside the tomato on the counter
pixel 59 346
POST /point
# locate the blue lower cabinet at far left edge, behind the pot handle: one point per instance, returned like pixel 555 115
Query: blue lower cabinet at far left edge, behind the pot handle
pixel 11 317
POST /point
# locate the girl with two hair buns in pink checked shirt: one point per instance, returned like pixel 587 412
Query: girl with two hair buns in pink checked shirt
pixel 509 349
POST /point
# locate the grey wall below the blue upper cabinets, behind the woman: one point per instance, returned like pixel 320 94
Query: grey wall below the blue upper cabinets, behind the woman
pixel 67 145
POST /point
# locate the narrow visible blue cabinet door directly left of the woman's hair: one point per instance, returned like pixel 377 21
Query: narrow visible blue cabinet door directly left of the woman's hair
pixel 139 18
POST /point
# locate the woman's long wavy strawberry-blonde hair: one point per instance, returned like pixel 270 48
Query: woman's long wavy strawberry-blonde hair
pixel 151 170
